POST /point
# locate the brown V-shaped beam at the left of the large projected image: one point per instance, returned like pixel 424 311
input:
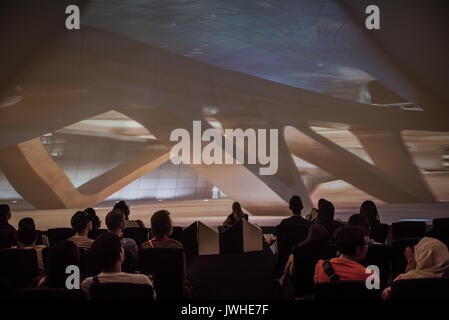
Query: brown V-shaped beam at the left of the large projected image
pixel 36 176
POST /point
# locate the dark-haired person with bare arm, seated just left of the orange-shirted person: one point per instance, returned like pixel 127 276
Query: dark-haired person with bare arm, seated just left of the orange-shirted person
pixel 317 237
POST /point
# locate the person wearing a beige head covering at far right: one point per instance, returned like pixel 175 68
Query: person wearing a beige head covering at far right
pixel 428 259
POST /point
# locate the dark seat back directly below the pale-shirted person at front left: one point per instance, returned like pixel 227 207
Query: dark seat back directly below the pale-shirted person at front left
pixel 120 291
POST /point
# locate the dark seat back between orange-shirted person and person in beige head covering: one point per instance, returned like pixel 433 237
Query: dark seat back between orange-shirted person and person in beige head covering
pixel 380 256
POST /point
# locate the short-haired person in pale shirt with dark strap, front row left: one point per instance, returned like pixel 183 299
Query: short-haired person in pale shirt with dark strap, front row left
pixel 109 255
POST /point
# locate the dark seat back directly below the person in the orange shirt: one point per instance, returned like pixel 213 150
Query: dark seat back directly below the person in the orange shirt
pixel 345 290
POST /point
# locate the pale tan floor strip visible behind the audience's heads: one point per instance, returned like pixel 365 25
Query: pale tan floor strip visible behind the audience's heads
pixel 213 213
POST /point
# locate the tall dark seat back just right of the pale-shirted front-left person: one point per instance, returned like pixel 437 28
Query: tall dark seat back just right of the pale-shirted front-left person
pixel 167 266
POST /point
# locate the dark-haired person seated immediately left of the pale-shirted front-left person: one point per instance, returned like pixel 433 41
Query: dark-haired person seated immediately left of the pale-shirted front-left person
pixel 61 254
